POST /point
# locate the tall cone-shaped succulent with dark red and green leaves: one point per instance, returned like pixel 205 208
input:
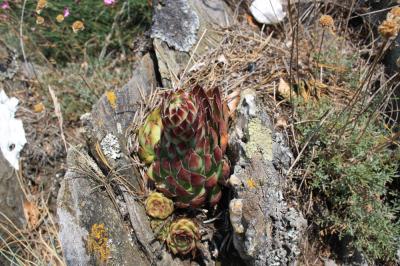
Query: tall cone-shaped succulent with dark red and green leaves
pixel 189 159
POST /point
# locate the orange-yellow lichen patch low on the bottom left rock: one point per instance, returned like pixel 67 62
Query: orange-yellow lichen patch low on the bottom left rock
pixel 97 242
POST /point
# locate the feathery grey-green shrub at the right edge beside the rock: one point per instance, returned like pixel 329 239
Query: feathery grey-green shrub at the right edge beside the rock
pixel 351 175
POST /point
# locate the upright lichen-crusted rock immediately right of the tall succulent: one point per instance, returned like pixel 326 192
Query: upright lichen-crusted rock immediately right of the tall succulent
pixel 266 230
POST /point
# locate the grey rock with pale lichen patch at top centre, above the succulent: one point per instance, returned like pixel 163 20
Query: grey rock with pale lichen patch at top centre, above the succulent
pixel 172 59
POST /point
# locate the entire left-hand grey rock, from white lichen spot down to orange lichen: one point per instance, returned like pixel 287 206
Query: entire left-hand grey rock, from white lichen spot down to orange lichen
pixel 82 194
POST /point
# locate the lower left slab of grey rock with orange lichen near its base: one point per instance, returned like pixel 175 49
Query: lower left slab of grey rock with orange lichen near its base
pixel 82 205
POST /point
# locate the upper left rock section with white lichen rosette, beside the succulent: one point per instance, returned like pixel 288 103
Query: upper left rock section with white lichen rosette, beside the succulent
pixel 113 115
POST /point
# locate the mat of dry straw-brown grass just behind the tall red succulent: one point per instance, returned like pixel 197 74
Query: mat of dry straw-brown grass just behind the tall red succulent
pixel 248 60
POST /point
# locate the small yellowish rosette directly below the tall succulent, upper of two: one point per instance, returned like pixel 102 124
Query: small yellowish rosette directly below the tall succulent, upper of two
pixel 158 206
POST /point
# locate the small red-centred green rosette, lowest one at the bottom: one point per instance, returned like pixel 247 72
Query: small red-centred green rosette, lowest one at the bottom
pixel 182 237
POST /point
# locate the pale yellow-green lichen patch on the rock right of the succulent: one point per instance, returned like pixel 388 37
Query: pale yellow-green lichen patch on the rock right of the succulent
pixel 260 140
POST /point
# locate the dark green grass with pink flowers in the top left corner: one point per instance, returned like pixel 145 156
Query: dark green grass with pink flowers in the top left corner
pixel 106 28
